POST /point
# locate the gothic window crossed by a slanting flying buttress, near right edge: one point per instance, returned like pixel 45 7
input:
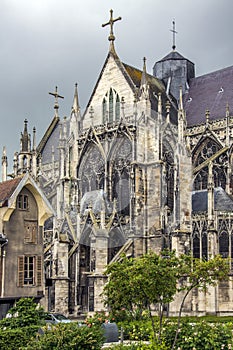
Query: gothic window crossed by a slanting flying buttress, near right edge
pixel 207 151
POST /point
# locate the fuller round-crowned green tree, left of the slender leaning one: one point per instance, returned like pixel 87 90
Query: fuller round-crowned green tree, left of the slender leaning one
pixel 137 283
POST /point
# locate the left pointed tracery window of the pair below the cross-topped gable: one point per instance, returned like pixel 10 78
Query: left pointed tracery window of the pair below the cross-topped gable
pixel 91 170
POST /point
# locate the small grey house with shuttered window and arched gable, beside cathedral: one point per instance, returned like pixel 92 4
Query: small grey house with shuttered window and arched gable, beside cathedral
pixel 23 211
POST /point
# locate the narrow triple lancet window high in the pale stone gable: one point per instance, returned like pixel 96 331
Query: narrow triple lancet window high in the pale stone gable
pixel 111 107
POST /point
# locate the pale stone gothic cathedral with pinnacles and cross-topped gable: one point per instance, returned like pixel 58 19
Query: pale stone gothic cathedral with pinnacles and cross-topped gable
pixel 147 166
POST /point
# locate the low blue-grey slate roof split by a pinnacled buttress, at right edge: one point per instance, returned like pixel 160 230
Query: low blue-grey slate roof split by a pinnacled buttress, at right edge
pixel 222 201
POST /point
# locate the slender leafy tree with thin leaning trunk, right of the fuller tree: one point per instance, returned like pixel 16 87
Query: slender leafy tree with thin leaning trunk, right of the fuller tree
pixel 200 274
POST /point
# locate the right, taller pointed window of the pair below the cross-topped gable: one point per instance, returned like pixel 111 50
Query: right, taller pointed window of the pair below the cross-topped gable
pixel 120 179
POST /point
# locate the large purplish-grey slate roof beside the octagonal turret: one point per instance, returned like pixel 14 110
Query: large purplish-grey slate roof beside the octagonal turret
pixel 210 91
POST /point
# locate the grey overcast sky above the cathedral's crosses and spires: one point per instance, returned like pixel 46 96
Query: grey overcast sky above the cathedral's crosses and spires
pixel 44 43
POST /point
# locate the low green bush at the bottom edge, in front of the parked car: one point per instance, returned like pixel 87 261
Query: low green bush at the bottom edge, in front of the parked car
pixel 68 336
